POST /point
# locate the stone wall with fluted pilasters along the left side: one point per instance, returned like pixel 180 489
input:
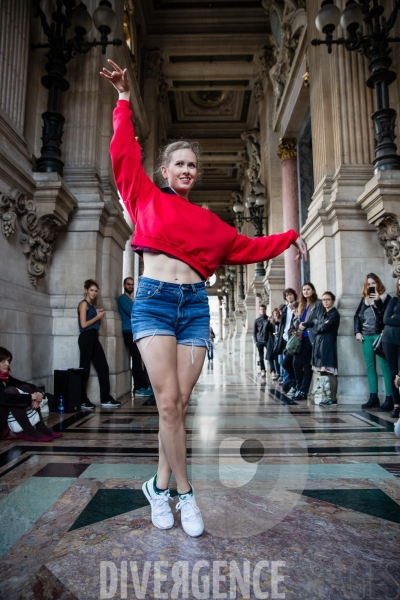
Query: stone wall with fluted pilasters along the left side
pixel 39 324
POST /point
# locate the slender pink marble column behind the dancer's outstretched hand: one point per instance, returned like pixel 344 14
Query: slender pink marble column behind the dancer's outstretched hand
pixel 287 153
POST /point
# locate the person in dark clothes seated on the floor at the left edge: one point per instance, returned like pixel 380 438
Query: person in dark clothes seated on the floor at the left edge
pixel 17 402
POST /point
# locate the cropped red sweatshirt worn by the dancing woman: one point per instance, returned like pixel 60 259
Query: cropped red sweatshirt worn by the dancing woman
pixel 173 225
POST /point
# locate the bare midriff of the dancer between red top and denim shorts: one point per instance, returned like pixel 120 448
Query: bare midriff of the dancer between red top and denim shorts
pixel 171 270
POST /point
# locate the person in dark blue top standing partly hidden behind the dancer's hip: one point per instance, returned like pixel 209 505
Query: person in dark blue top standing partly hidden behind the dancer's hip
pixel 141 382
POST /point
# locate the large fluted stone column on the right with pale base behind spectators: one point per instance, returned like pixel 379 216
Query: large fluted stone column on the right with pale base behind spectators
pixel 343 246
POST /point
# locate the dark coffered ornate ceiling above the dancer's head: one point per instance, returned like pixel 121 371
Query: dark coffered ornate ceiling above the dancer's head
pixel 211 59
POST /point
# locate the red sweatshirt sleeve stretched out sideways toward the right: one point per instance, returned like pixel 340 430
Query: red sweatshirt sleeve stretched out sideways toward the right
pixel 245 250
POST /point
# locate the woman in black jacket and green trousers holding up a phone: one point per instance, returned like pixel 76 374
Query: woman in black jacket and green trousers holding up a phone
pixel 368 324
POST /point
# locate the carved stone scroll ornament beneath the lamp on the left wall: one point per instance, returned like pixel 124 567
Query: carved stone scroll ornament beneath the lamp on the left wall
pixel 37 235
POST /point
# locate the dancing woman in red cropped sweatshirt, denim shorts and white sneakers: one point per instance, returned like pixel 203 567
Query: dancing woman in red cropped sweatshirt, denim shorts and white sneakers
pixel 182 245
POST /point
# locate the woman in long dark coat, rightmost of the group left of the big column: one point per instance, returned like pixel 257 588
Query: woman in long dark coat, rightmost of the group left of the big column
pixel 324 356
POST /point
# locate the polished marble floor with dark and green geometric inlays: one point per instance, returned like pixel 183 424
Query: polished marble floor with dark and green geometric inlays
pixel 299 502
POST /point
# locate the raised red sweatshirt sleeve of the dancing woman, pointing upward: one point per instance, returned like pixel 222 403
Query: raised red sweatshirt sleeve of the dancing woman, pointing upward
pixel 126 158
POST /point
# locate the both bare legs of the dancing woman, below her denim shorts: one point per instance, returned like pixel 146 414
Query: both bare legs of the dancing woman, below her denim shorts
pixel 170 371
